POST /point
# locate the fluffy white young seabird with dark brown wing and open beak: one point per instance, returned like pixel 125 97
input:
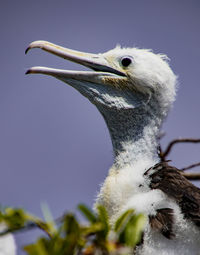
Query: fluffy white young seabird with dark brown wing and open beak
pixel 134 90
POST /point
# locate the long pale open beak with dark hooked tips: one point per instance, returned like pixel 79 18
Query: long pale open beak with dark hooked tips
pixel 102 70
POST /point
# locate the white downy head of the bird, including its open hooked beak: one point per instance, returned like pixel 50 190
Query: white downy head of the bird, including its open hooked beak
pixel 123 78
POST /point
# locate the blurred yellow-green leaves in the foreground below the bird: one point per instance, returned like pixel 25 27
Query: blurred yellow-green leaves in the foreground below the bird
pixel 67 236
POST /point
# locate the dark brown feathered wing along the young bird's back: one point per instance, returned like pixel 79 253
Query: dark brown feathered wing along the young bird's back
pixel 170 180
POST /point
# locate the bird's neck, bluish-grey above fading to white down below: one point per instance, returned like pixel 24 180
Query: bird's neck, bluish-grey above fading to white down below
pixel 134 134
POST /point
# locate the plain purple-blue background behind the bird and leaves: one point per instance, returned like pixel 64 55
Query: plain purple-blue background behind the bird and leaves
pixel 54 145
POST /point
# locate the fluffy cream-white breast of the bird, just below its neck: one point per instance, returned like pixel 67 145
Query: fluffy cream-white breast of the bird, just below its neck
pixel 126 189
